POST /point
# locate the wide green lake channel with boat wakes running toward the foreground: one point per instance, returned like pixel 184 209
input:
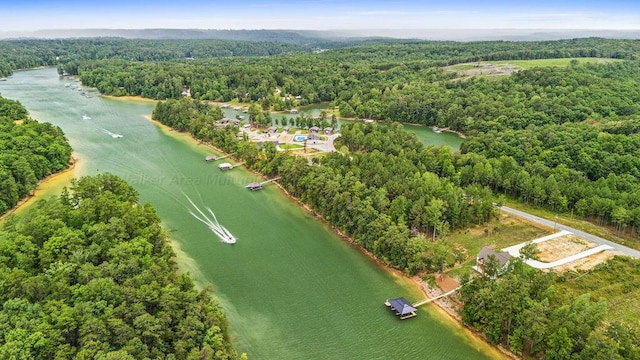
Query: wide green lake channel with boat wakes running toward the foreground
pixel 290 287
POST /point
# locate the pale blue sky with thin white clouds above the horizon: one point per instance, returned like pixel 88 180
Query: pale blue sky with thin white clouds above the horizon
pixel 29 15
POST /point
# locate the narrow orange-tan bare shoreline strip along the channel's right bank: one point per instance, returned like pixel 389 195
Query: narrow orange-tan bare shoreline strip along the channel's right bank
pixel 440 305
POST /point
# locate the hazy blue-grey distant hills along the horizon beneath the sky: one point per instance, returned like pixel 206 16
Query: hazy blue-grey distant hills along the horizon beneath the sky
pixel 306 37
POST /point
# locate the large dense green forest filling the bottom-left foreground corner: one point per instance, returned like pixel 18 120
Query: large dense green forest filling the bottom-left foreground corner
pixel 90 275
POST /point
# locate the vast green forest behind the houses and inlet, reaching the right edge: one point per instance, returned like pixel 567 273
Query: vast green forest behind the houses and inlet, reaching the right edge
pixel 564 138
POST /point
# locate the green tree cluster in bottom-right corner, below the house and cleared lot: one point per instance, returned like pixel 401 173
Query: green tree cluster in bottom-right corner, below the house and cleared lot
pixel 523 311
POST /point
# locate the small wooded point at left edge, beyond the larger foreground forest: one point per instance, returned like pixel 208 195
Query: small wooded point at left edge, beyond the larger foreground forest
pixel 30 151
